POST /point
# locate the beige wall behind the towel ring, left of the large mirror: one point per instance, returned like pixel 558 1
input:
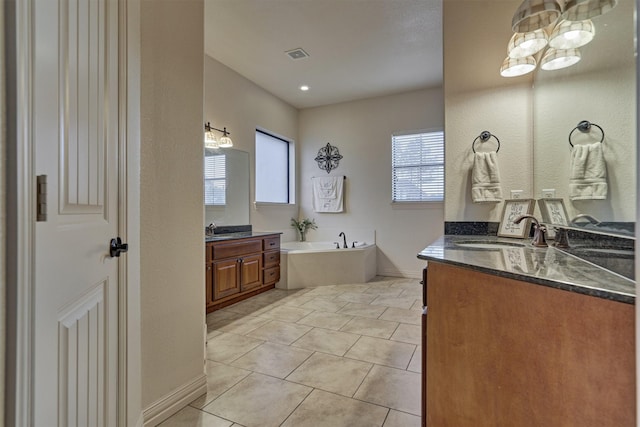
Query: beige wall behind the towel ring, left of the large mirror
pixel 477 98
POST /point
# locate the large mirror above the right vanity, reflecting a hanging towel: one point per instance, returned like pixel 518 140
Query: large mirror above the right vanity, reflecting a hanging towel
pixel 600 88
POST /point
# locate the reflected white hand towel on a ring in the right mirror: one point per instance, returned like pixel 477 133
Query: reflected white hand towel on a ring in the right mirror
pixel 588 174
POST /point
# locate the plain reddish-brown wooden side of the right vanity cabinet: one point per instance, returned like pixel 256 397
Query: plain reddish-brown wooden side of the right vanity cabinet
pixel 504 352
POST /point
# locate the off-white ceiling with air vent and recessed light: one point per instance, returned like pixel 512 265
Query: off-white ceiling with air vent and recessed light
pixel 357 48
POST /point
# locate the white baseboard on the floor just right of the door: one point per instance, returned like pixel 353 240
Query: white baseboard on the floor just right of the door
pixel 171 403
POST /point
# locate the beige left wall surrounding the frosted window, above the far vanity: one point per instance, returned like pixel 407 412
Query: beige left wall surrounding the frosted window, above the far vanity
pixel 235 102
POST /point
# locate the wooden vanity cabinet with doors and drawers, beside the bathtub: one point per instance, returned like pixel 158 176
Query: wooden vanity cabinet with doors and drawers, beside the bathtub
pixel 240 268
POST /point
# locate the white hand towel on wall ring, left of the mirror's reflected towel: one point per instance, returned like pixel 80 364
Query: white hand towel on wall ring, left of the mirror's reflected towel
pixel 485 178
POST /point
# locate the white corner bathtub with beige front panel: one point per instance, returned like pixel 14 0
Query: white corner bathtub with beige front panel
pixel 307 264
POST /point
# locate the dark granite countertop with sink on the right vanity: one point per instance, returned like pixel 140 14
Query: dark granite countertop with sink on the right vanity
pixel 544 266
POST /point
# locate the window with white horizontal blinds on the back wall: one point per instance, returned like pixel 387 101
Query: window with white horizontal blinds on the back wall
pixel 418 166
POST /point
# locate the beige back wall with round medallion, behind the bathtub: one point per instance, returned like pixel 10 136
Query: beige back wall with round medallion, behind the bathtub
pixel 362 132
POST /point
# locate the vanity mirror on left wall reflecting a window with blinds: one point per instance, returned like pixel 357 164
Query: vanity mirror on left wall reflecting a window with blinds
pixel 226 186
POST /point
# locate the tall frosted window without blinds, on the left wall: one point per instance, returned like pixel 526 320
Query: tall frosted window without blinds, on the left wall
pixel 272 169
